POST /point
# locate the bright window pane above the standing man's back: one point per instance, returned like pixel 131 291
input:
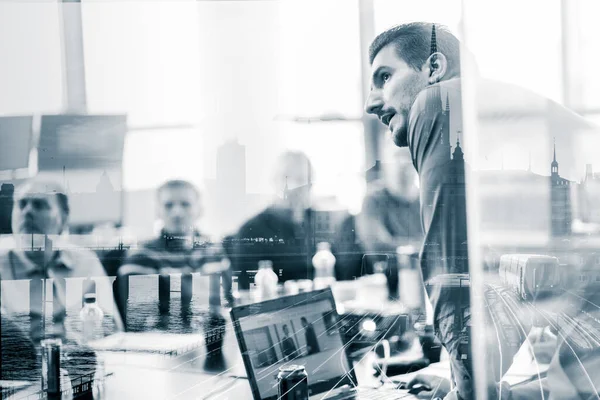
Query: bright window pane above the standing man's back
pixel 505 54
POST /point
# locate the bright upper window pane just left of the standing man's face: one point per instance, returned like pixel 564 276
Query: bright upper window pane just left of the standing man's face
pixel 319 65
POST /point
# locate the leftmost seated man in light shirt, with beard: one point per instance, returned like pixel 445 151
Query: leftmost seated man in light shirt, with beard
pixel 31 275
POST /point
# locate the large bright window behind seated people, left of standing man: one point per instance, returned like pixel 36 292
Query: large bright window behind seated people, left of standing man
pixel 194 76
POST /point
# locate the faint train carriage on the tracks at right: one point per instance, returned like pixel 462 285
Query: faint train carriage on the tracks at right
pixel 530 275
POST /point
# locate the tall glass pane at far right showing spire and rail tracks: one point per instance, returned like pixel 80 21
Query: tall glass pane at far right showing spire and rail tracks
pixel 531 205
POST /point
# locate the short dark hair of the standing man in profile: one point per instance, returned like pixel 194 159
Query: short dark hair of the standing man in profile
pixel 413 44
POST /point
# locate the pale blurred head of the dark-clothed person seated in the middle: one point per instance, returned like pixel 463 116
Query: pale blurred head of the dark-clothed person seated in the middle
pixel 293 170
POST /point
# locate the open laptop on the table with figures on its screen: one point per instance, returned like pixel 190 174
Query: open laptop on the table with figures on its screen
pixel 302 329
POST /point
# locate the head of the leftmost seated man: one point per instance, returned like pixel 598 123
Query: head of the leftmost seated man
pixel 40 207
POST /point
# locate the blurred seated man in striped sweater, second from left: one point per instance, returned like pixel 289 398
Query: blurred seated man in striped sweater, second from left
pixel 180 248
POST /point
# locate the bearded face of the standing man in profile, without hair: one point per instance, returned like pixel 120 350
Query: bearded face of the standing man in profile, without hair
pixel 394 88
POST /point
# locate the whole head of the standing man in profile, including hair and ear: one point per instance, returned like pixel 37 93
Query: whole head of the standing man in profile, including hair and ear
pixel 404 61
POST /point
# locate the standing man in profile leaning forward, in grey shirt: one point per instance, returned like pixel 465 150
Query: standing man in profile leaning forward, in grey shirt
pixel 415 70
